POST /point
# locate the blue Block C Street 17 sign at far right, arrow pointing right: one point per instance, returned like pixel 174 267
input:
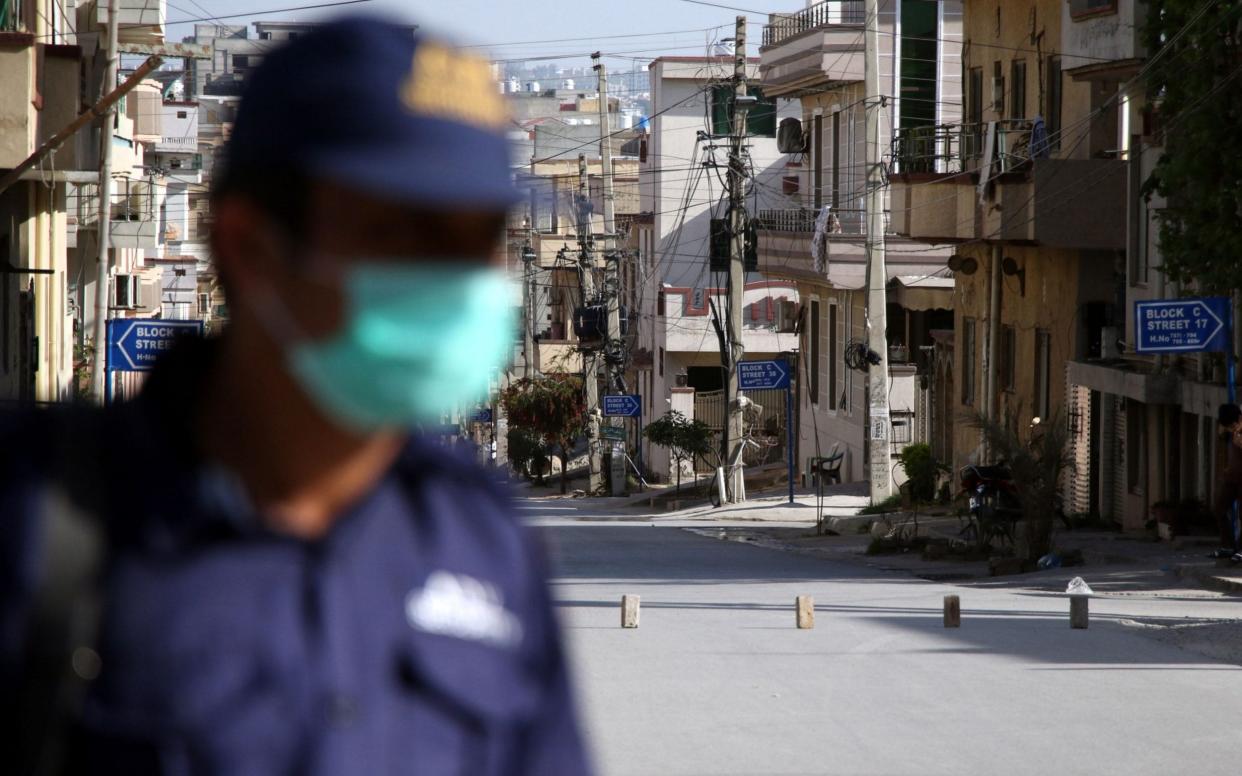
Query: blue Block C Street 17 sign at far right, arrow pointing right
pixel 1182 326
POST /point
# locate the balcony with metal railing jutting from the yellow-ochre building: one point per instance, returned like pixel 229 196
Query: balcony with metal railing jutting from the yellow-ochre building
pixel 1031 198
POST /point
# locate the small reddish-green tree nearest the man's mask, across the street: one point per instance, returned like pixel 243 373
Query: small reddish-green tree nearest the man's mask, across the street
pixel 553 409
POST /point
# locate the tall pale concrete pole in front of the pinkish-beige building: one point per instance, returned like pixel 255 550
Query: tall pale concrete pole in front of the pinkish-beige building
pixel 877 275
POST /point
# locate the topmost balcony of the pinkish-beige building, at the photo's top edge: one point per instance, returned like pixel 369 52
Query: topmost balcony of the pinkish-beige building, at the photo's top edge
pixel 815 48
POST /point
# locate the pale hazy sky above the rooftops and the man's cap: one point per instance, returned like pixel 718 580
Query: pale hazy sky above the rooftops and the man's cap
pixel 504 28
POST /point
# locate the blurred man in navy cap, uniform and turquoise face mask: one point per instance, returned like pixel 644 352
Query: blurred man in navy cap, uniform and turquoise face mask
pixel 290 582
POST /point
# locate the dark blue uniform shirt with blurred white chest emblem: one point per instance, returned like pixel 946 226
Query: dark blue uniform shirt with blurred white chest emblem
pixel 417 638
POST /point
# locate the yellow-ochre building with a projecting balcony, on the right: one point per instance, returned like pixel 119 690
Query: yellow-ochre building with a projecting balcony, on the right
pixel 1034 186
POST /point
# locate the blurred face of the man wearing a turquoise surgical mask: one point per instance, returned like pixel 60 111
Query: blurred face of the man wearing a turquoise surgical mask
pixel 386 315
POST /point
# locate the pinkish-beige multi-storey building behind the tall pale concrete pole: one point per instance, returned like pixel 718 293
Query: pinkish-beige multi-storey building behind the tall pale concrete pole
pixel 818 240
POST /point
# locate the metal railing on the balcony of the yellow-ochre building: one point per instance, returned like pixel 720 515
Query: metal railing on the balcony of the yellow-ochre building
pixel 958 148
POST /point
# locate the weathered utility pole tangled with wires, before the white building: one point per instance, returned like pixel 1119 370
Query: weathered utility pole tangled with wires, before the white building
pixel 742 101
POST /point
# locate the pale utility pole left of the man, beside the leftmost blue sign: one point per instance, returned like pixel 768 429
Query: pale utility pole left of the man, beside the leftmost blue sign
pixel 100 373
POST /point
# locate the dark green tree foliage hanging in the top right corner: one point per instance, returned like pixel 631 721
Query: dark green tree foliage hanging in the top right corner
pixel 1197 90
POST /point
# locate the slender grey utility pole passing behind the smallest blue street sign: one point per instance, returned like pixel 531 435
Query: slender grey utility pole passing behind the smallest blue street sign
pixel 613 347
